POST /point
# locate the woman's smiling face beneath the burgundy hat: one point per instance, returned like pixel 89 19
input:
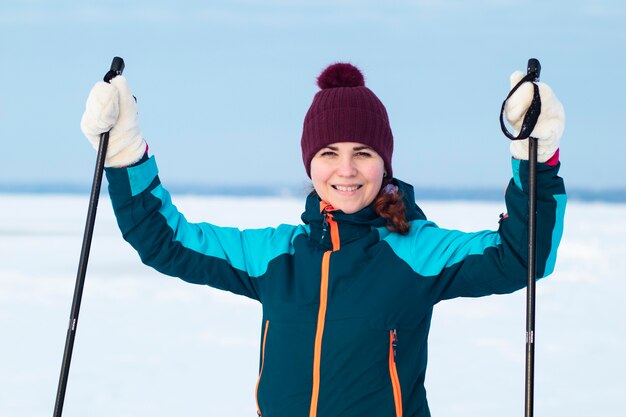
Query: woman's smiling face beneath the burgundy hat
pixel 348 175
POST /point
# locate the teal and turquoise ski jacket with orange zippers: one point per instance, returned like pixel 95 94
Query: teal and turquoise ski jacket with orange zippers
pixel 346 304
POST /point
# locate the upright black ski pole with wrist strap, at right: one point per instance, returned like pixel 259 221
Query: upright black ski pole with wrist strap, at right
pixel 528 125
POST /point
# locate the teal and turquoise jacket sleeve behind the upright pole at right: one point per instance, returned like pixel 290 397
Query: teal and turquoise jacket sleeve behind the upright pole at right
pixel 452 263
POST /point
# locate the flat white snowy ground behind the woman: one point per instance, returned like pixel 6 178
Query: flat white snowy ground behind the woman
pixel 149 345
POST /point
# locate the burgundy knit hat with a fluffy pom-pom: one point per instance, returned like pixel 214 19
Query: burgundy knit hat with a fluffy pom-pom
pixel 344 110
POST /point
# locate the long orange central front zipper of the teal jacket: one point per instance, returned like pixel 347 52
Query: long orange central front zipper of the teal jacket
pixel 321 314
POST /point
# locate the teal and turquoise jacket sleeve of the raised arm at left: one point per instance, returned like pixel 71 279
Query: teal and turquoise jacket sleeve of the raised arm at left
pixel 201 253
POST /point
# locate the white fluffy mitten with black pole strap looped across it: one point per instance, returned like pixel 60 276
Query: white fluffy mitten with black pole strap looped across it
pixel 550 124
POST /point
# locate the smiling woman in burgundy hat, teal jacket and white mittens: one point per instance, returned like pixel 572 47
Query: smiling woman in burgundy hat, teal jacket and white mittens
pixel 348 295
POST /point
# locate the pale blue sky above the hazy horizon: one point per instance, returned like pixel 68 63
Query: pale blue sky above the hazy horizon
pixel 223 86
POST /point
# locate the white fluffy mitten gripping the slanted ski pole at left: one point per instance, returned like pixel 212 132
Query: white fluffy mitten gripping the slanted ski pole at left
pixel 113 107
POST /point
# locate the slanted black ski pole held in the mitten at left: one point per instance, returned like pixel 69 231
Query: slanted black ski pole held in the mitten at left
pixel 117 66
